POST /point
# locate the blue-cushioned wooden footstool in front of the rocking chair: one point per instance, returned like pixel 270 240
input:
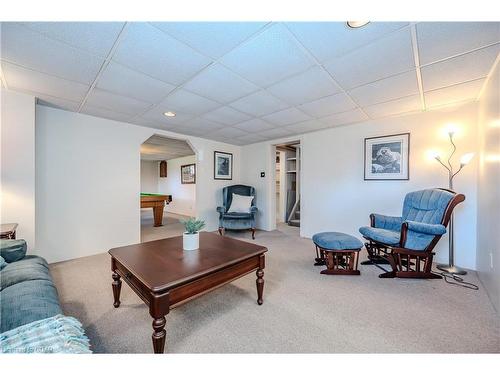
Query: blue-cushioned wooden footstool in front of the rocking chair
pixel 338 251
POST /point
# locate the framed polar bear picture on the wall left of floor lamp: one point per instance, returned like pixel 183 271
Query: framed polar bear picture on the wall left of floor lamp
pixel 387 157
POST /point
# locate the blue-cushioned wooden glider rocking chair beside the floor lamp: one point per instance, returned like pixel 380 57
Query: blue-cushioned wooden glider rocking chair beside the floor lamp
pixel 406 242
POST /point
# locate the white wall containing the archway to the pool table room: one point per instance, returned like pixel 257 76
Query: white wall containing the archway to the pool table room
pixel 88 182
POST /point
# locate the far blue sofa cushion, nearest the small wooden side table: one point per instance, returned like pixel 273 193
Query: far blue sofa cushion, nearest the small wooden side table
pixel 30 268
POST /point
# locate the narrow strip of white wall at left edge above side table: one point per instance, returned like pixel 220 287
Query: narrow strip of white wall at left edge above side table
pixel 18 163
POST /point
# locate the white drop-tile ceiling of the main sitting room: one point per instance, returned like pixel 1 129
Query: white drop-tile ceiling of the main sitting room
pixel 247 82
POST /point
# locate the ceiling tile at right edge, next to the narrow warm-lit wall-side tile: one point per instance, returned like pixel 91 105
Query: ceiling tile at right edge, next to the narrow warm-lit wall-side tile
pixel 463 68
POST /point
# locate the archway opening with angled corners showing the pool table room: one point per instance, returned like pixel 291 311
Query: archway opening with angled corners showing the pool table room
pixel 168 187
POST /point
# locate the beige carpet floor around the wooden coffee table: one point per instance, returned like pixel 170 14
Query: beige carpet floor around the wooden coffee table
pixel 303 311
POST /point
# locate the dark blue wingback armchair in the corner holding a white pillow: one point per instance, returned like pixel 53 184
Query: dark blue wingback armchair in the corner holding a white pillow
pixel 236 220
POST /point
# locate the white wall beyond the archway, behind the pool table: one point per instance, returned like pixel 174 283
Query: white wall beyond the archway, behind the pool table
pixel 183 195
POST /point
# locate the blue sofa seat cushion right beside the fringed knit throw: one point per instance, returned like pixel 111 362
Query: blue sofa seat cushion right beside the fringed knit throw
pixel 26 302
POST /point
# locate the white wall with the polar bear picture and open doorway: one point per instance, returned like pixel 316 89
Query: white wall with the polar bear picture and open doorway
pixel 335 196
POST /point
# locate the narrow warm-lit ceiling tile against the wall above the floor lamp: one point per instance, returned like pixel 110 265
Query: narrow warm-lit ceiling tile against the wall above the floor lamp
pixel 452 94
